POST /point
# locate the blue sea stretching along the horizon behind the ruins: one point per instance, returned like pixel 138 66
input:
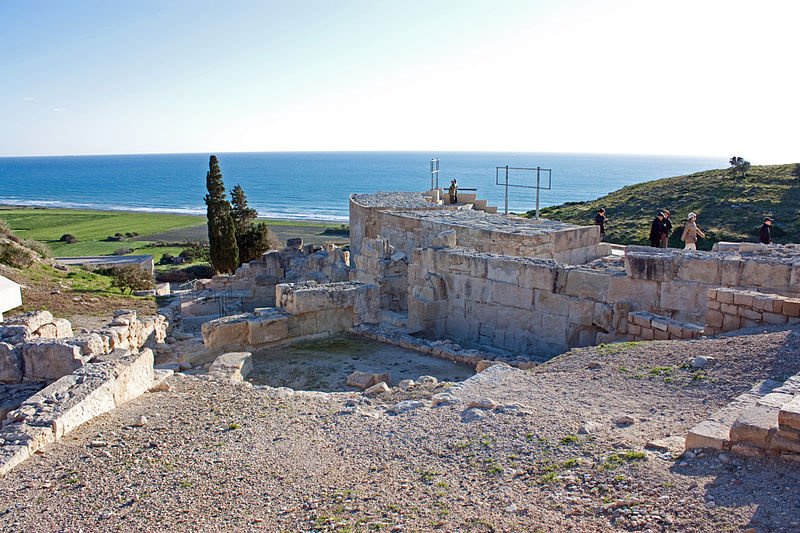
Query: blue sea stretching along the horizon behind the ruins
pixel 316 185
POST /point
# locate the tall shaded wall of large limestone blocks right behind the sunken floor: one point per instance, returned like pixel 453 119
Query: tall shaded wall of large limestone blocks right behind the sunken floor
pixel 524 305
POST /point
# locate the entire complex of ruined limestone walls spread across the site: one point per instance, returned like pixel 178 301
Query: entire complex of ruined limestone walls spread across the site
pixel 461 284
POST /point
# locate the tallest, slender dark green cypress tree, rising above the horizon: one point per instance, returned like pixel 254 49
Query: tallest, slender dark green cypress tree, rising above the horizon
pixel 221 228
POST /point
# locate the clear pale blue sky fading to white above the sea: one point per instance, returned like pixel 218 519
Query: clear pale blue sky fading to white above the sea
pixel 700 77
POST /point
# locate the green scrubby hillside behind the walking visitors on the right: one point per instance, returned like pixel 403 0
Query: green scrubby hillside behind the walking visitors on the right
pixel 728 208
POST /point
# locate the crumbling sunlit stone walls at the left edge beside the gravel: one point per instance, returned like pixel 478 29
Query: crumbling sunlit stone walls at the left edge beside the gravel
pixel 52 381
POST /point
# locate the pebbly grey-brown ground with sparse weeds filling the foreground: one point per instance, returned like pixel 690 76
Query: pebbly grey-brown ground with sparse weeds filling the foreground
pixel 557 448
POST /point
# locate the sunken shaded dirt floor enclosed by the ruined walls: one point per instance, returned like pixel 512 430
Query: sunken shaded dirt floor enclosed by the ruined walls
pixel 325 365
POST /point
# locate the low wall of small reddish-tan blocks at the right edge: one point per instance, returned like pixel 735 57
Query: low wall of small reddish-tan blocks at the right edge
pixel 732 309
